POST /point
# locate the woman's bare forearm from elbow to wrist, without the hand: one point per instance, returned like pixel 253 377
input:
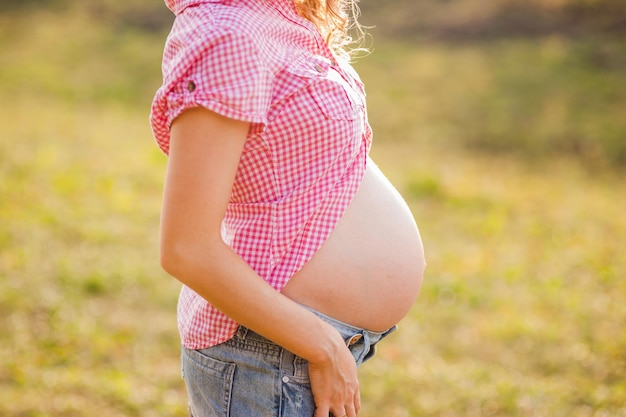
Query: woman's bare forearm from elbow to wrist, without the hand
pixel 225 280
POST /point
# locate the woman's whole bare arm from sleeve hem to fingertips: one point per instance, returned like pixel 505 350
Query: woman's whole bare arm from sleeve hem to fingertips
pixel 204 154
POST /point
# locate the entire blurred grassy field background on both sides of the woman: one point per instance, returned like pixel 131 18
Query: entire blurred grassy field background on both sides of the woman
pixel 503 123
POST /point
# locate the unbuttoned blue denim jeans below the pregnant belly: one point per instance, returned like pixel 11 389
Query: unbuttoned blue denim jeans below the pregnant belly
pixel 250 376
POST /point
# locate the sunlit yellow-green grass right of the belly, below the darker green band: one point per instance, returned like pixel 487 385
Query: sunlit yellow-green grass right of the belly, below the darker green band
pixel 522 309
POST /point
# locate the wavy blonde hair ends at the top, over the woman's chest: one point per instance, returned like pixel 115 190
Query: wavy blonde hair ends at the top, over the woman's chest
pixel 334 19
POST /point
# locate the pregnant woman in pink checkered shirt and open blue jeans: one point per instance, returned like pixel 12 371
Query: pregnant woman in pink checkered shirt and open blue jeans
pixel 296 254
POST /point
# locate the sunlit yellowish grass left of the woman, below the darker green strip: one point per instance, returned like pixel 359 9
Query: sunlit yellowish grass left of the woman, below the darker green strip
pixel 87 323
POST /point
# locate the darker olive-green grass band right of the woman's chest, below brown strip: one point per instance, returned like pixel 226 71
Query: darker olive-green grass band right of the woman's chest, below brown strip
pixel 535 98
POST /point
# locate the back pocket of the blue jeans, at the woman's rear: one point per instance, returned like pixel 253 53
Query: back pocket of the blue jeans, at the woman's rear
pixel 209 384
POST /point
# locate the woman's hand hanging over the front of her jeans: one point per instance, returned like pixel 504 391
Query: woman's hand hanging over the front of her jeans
pixel 334 382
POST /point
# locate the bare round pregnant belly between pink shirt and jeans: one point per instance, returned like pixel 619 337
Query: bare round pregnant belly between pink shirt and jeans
pixel 369 271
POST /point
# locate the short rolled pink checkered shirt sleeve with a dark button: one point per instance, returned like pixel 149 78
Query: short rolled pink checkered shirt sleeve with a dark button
pixel 217 69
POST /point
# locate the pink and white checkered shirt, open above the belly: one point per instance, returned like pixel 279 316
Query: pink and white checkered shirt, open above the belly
pixel 306 150
